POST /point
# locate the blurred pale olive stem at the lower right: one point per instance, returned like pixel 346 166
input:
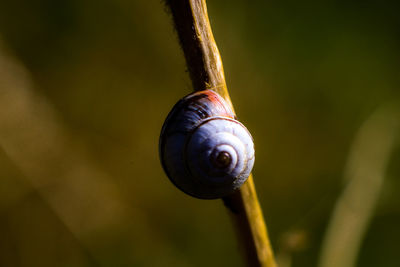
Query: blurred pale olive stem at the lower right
pixel 365 174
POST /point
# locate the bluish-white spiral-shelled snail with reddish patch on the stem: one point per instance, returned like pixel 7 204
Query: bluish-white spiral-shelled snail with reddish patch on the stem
pixel 203 149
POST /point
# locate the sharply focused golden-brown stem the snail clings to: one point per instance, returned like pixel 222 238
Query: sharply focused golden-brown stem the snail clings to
pixel 206 71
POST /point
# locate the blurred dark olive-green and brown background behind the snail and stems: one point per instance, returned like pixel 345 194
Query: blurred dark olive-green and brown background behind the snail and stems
pixel 86 85
